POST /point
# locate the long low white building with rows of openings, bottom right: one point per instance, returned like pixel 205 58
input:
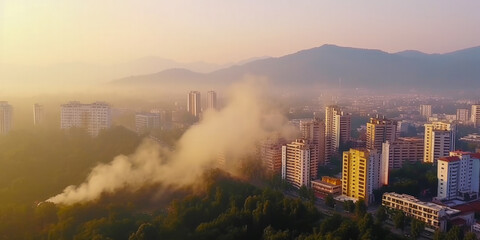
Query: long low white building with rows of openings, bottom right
pixel 433 215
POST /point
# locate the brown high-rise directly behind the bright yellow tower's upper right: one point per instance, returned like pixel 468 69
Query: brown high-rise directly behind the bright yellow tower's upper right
pixel 380 130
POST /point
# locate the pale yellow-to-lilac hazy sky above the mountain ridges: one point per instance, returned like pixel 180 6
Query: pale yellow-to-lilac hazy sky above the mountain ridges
pixel 39 32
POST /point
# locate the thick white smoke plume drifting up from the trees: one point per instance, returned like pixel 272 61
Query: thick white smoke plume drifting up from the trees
pixel 247 119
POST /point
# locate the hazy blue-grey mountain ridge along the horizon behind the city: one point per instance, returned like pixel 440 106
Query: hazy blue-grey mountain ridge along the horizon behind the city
pixel 329 65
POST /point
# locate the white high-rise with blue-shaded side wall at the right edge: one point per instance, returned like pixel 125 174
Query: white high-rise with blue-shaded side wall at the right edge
pixel 458 176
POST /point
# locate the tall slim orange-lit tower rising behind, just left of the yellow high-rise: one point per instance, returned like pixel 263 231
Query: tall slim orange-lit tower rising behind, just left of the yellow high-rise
pixel 337 130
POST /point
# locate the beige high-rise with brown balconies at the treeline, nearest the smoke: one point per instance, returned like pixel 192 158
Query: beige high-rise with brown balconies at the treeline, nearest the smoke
pixel 296 163
